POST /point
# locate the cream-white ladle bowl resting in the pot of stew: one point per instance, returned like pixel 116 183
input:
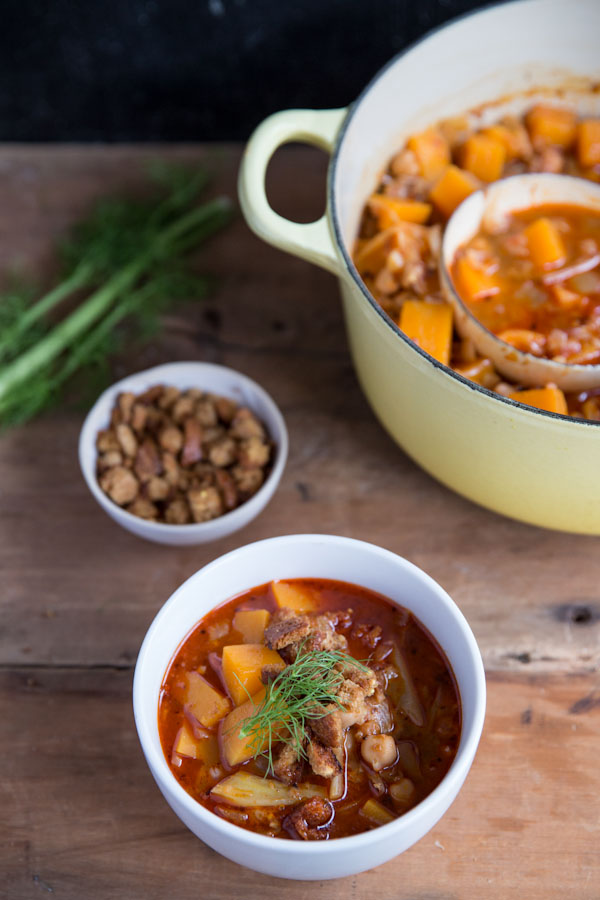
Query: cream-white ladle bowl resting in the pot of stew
pixel 492 205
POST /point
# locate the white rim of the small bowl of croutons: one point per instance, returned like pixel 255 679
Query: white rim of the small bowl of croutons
pixel 239 515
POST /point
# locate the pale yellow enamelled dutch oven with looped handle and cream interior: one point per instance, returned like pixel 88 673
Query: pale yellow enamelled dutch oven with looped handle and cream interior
pixel 535 466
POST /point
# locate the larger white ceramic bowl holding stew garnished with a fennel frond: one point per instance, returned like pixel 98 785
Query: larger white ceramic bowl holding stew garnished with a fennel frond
pixel 315 556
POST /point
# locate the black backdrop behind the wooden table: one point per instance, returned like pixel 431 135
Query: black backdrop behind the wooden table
pixel 191 70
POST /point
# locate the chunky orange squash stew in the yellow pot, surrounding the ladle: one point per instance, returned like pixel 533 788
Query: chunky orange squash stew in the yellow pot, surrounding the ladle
pixel 399 239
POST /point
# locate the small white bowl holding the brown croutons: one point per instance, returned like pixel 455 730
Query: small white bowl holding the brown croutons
pixel 208 377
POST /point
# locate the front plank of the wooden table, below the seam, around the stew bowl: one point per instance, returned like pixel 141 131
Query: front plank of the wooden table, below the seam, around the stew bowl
pixel 86 819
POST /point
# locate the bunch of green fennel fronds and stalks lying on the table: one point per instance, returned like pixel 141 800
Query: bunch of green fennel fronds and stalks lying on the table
pixel 127 261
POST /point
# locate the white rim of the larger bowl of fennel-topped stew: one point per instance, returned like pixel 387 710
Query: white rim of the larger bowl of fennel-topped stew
pixel 450 783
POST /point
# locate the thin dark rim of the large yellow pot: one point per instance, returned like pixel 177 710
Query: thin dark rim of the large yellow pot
pixel 332 208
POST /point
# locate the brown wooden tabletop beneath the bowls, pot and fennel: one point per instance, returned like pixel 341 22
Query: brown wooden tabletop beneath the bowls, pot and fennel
pixel 81 816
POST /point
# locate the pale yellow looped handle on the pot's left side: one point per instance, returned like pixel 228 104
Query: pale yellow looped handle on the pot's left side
pixel 314 241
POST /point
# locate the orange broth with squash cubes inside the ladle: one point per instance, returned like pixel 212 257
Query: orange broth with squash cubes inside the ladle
pixel 535 283
